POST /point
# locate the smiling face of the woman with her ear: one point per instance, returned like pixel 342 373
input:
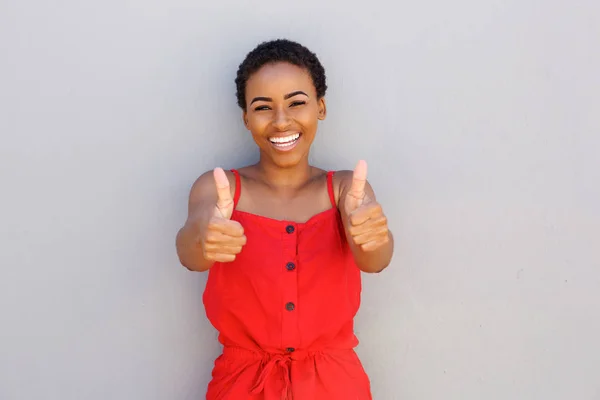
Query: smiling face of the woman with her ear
pixel 282 112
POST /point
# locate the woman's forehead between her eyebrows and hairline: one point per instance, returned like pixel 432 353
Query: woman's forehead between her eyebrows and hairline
pixel 278 79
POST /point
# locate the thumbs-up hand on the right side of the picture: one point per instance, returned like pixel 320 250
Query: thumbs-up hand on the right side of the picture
pixel 366 224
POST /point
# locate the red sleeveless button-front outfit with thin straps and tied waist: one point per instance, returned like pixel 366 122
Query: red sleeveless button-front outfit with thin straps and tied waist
pixel 284 310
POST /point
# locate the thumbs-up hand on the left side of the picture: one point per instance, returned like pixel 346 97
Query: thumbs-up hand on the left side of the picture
pixel 222 238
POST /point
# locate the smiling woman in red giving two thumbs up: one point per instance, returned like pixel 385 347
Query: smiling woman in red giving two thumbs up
pixel 284 243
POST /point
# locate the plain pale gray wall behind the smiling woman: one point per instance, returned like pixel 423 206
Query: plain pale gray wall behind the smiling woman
pixel 480 121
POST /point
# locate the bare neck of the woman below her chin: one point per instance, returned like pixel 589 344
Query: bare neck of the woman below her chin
pixel 285 178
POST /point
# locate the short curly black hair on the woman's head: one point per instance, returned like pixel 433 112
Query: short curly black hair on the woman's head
pixel 279 50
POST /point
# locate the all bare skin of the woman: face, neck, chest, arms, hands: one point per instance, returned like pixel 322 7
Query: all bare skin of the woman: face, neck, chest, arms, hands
pixel 282 103
